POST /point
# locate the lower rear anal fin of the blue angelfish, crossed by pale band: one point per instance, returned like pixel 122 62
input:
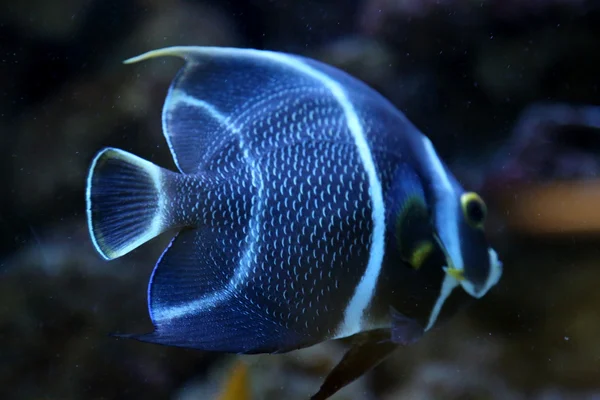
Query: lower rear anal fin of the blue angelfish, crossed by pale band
pixel 199 297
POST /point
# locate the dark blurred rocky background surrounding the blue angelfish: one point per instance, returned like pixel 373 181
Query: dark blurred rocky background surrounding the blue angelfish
pixel 496 84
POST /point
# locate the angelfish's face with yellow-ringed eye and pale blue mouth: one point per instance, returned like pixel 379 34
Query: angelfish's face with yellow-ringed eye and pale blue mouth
pixel 458 219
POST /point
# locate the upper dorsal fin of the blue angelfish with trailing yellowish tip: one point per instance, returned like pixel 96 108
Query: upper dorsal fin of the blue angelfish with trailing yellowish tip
pixel 221 95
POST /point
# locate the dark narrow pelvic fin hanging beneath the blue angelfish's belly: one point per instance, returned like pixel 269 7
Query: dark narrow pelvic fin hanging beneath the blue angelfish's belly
pixel 366 353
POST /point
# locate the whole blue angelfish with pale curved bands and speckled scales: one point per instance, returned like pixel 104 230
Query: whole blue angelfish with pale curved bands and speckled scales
pixel 308 209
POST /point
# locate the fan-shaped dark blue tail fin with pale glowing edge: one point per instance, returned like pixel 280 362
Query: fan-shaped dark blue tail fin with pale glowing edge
pixel 125 202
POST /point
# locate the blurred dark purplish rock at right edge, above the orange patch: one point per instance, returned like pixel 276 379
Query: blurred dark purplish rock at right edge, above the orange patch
pixel 550 142
